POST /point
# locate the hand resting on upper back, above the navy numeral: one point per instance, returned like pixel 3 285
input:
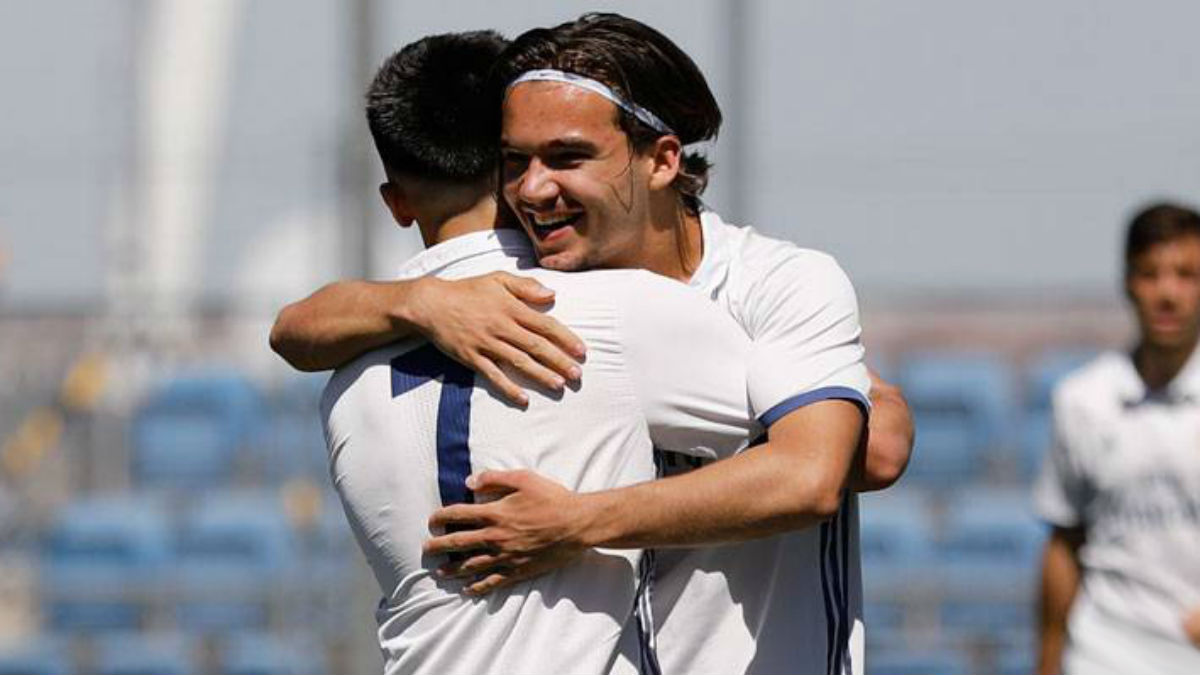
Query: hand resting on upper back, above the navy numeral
pixel 487 322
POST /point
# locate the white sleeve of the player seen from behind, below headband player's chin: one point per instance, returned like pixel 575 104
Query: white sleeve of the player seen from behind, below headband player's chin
pixel 688 363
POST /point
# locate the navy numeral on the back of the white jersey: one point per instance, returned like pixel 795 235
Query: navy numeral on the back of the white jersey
pixel 422 366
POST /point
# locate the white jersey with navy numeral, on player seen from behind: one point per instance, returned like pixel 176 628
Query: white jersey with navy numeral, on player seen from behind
pixel 663 367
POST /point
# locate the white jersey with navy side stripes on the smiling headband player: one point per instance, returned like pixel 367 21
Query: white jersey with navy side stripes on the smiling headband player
pixel 790 604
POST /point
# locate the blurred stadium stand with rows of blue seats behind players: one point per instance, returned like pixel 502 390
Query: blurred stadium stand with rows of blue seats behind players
pixel 196 527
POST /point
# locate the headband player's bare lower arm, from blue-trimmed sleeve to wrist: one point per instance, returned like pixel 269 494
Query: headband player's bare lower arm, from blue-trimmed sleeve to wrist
pixel 795 481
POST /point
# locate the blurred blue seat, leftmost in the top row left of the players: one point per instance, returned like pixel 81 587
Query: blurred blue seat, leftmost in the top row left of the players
pixel 188 433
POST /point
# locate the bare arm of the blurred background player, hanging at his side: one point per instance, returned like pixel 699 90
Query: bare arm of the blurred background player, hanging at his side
pixel 1061 575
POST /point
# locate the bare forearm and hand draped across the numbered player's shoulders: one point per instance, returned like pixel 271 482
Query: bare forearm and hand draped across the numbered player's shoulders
pixel 484 322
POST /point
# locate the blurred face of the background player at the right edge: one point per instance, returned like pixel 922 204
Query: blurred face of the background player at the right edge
pixel 1163 283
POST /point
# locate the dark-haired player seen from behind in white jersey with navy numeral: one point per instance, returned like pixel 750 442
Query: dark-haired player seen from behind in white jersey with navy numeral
pixel 406 426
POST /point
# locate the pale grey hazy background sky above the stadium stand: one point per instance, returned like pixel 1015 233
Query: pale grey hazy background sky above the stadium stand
pixel 933 147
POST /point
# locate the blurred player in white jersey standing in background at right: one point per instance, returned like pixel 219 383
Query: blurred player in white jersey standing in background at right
pixel 1121 485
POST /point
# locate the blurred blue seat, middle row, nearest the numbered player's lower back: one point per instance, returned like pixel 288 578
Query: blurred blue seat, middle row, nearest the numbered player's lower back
pixel 236 551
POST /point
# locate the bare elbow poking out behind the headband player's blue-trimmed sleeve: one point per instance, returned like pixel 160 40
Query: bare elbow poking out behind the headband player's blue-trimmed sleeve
pixel 889 441
